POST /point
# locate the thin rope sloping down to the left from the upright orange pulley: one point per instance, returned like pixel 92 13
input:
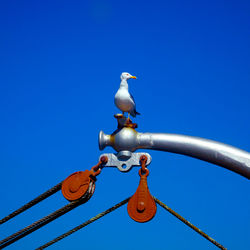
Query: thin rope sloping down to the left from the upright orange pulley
pixel 84 224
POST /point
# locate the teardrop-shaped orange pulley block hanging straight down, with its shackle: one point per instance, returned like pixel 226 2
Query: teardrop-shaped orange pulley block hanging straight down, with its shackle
pixel 141 206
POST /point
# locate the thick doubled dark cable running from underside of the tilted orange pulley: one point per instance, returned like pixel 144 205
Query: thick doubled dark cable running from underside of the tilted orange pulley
pixel 45 220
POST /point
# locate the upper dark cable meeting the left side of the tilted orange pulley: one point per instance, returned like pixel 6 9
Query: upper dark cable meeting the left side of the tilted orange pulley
pixel 32 202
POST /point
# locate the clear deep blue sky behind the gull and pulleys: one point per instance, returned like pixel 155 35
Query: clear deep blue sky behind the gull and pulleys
pixel 60 63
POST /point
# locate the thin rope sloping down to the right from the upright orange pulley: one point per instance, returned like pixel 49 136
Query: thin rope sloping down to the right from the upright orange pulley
pixel 189 224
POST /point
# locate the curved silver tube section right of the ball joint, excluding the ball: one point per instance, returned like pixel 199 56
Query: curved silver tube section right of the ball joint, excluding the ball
pixel 214 152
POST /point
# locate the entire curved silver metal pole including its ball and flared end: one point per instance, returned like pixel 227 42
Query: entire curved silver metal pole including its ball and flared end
pixel 127 139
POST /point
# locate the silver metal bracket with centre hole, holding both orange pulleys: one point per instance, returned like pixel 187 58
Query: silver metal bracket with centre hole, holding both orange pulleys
pixel 124 161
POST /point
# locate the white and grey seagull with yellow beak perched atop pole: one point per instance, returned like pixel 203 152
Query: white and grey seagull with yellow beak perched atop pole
pixel 123 99
